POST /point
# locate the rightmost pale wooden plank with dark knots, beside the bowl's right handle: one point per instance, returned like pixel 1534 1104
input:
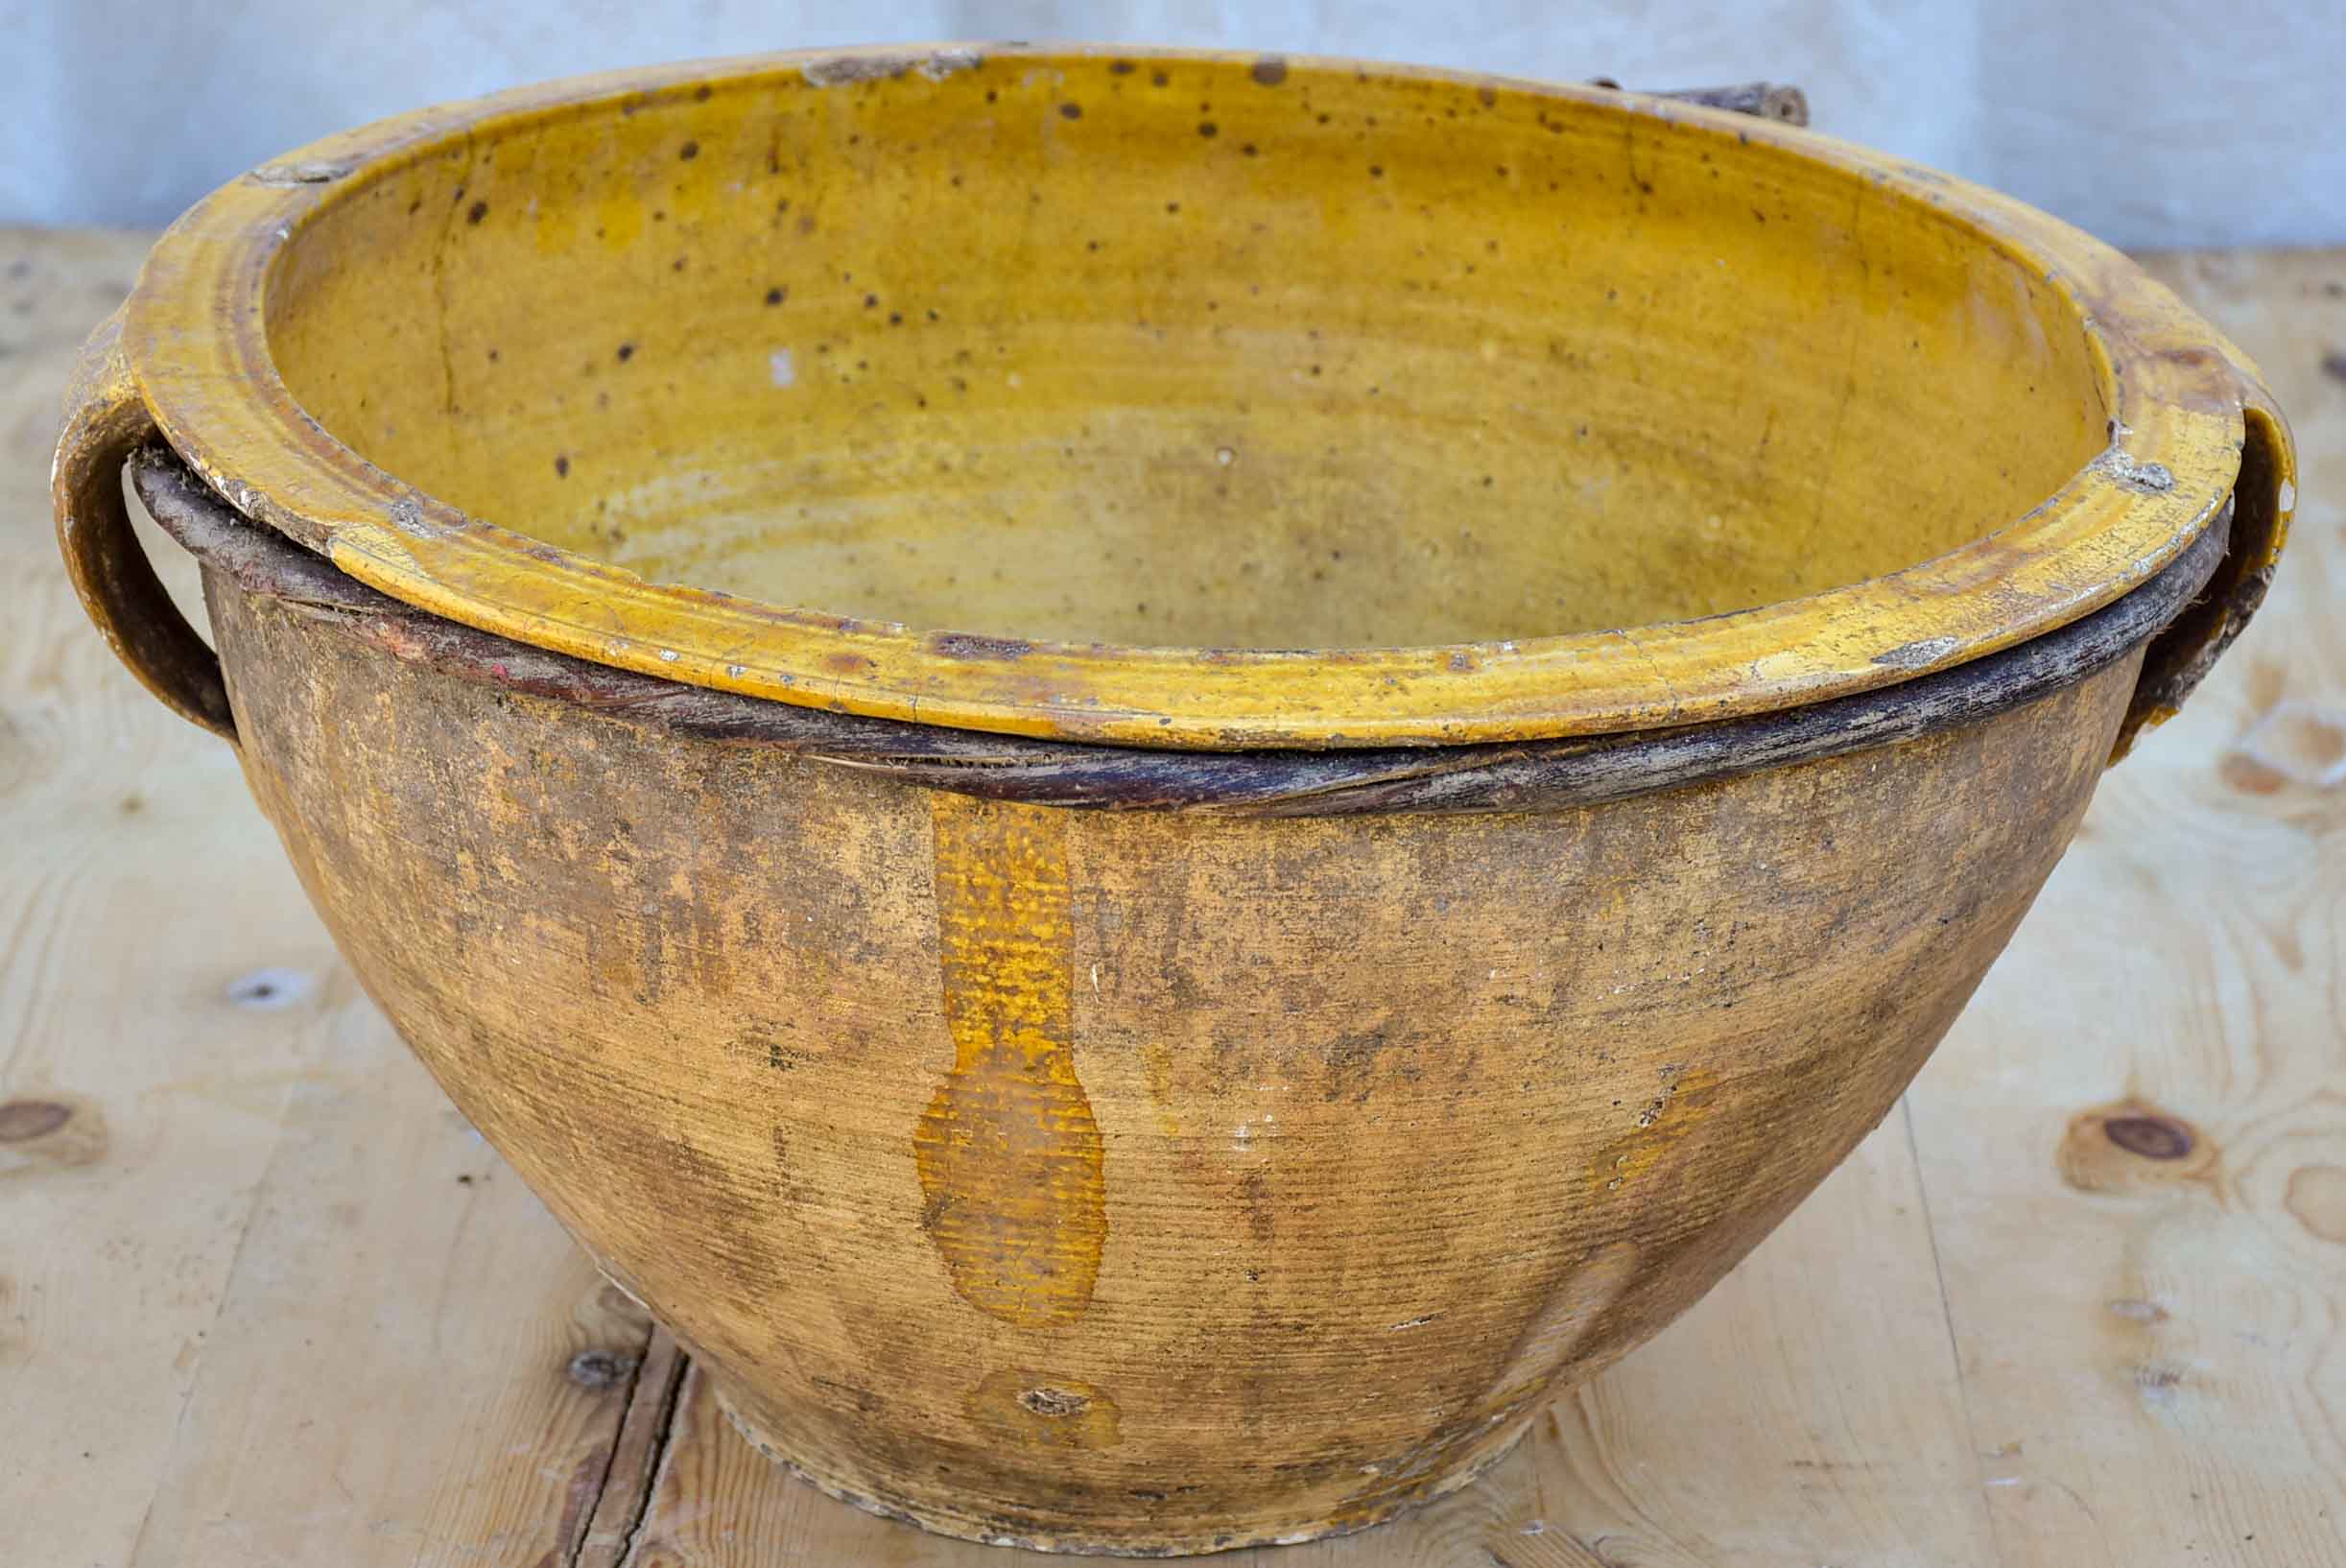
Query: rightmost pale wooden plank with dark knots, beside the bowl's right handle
pixel 2155 1339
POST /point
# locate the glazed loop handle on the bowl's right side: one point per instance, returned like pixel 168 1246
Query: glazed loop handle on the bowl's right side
pixel 2263 499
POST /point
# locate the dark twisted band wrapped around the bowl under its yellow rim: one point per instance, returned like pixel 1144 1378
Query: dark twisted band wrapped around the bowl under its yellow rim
pixel 1484 778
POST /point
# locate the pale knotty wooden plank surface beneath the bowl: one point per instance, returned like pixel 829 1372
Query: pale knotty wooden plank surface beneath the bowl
pixel 266 1299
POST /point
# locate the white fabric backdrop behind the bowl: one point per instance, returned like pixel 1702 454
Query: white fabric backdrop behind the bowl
pixel 2152 123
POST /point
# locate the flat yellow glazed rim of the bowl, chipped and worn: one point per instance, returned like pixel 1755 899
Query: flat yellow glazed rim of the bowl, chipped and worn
pixel 196 344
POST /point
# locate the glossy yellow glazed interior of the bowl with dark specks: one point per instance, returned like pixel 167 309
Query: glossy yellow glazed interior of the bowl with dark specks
pixel 1184 351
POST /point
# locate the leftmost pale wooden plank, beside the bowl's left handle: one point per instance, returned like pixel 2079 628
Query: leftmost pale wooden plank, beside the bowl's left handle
pixel 135 888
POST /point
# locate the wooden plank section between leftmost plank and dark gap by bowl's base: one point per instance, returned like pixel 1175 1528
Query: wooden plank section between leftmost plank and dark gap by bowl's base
pixel 433 1295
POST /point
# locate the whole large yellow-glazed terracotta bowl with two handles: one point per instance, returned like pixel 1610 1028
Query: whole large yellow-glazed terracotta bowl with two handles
pixel 1169 778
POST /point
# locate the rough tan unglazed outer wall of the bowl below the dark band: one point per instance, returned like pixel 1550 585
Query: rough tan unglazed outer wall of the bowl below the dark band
pixel 1141 1182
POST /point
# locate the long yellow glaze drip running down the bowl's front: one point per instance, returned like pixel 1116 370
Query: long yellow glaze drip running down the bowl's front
pixel 1008 1151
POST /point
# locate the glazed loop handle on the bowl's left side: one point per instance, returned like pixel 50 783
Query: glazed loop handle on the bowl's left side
pixel 107 421
